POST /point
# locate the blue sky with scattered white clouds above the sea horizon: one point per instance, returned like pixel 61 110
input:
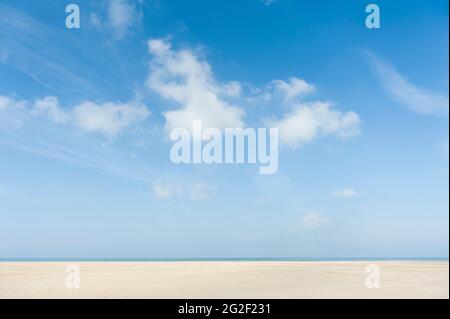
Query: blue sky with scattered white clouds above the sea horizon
pixel 362 113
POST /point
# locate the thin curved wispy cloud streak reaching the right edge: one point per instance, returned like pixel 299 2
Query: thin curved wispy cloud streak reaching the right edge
pixel 401 90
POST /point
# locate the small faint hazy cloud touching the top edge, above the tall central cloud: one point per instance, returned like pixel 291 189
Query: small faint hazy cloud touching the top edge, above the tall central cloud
pixel 121 16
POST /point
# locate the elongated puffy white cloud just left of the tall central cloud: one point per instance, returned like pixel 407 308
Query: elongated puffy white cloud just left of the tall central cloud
pixel 108 118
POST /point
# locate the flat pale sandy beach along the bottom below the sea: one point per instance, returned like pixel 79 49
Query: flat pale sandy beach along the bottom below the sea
pixel 397 279
